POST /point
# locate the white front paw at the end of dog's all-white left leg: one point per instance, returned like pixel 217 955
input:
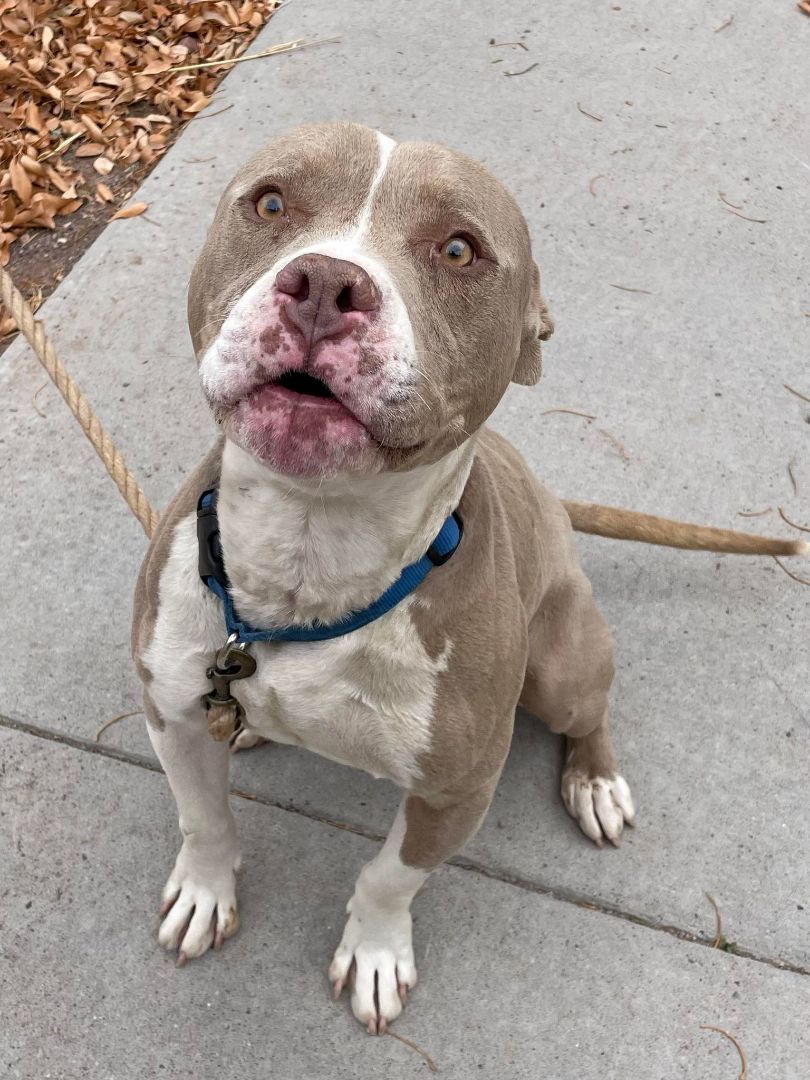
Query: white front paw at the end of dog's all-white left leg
pixel 199 901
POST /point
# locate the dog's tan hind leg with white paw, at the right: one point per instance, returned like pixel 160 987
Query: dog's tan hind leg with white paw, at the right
pixel 569 677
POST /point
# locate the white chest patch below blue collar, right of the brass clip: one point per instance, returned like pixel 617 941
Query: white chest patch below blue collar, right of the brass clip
pixel 366 700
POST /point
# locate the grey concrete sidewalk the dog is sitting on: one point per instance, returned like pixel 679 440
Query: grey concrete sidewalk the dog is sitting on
pixel 543 956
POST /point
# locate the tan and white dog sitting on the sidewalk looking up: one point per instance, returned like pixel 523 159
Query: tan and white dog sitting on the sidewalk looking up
pixel 358 312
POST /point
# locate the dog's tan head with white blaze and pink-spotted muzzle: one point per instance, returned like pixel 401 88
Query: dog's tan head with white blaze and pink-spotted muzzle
pixel 361 305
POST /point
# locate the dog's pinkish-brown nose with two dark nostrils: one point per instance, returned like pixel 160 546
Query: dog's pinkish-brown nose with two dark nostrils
pixel 323 292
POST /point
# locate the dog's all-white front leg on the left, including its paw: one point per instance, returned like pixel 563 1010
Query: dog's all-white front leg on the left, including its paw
pixel 199 907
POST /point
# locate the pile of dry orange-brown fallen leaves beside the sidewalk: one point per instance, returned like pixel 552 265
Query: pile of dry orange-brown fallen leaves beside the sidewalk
pixel 98 79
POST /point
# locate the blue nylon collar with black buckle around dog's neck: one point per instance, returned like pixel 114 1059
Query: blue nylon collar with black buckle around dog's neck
pixel 213 573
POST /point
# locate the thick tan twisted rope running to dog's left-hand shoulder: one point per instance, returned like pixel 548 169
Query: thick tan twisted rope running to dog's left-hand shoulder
pixel 21 313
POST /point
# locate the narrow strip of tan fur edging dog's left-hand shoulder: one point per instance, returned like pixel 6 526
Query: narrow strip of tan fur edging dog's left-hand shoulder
pixel 147 588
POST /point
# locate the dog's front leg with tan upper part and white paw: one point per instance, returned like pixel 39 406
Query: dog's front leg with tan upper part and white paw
pixel 376 953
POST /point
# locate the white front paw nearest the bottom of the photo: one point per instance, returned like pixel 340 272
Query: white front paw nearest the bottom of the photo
pixel 376 960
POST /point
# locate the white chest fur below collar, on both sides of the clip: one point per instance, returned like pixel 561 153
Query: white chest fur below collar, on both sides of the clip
pixel 366 699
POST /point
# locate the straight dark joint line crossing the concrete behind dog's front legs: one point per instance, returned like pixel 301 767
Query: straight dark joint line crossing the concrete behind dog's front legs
pixel 460 862
